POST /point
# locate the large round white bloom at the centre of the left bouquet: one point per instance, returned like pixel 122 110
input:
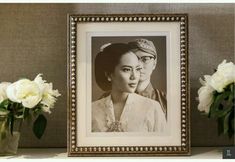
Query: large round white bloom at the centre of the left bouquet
pixel 26 92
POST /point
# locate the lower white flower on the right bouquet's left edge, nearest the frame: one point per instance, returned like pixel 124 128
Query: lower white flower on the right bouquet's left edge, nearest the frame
pixel 205 95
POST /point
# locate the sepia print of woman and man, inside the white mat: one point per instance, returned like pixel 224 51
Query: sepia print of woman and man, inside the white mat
pixel 129 84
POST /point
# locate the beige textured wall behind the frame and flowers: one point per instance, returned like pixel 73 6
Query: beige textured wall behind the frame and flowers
pixel 33 40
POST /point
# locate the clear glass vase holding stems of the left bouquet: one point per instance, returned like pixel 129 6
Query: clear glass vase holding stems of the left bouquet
pixel 9 141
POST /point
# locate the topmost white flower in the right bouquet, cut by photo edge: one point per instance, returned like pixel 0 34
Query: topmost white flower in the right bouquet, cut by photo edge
pixel 224 76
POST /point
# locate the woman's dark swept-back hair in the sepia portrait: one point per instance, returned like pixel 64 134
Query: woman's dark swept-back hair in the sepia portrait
pixel 106 61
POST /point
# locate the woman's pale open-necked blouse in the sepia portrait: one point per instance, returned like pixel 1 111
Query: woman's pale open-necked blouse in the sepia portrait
pixel 140 114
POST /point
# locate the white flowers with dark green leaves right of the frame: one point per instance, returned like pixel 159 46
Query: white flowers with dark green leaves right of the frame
pixel 217 97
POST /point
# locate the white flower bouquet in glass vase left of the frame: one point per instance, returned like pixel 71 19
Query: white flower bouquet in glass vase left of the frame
pixel 23 100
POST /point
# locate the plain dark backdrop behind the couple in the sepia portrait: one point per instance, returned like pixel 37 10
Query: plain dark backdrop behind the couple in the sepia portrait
pixel 158 78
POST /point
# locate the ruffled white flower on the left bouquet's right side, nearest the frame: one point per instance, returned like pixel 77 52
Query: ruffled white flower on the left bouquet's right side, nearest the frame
pixel 48 94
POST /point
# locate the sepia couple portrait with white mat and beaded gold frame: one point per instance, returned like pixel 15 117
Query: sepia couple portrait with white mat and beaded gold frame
pixel 128 85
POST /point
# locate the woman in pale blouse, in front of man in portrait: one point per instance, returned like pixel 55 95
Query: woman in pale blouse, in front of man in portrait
pixel 117 71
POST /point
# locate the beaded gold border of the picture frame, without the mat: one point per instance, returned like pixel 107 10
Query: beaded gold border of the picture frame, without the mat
pixel 73 150
